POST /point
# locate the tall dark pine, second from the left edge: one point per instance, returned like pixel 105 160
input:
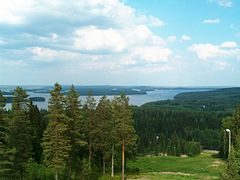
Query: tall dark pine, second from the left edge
pixel 20 131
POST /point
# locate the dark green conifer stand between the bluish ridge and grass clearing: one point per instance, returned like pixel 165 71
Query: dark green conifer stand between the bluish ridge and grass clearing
pixel 174 128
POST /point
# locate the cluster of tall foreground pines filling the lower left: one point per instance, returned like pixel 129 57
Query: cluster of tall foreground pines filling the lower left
pixel 69 141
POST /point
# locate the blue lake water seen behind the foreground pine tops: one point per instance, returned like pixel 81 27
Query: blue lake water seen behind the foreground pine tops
pixel 156 95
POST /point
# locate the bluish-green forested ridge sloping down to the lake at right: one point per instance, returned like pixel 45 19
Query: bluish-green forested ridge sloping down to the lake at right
pixel 224 99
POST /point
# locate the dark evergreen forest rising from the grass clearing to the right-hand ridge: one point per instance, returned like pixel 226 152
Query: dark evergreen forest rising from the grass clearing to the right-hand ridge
pixel 182 125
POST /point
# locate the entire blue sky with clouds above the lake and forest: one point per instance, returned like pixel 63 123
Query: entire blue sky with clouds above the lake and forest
pixel 120 42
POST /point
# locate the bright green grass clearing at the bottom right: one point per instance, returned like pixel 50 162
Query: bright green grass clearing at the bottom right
pixel 204 166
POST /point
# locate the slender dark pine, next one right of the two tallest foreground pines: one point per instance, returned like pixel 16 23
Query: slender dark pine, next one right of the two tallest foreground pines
pixel 89 119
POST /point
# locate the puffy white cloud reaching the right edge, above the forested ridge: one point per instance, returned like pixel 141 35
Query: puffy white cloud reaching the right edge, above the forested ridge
pixel 209 51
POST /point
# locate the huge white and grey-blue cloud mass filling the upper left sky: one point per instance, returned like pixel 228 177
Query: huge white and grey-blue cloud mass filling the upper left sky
pixel 104 34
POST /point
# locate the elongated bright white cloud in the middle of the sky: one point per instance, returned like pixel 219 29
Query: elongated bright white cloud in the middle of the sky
pixel 114 40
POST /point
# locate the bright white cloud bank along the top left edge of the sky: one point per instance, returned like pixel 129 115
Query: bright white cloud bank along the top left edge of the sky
pixel 17 12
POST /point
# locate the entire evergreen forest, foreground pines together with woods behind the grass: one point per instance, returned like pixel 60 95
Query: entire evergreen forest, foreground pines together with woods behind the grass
pixel 75 140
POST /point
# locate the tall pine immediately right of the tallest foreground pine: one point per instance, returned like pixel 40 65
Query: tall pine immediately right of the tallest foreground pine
pixel 73 111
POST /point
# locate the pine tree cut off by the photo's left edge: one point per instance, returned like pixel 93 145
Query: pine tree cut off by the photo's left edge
pixel 6 154
